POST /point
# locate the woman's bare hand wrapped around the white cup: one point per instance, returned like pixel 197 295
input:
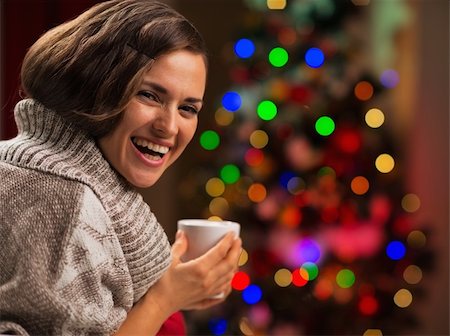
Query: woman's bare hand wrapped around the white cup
pixel 190 285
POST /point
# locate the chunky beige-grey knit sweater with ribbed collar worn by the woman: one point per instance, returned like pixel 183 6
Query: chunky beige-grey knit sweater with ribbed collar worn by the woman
pixel 79 246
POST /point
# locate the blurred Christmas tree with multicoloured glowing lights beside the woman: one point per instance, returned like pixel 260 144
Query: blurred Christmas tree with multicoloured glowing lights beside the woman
pixel 300 154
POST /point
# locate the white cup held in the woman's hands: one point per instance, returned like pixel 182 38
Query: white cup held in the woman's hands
pixel 203 234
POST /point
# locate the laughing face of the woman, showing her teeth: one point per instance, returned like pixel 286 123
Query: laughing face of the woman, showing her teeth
pixel 160 119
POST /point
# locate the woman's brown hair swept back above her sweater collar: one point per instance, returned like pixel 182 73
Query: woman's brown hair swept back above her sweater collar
pixel 89 68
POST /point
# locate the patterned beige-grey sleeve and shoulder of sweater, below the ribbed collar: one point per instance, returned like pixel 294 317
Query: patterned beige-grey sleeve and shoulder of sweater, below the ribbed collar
pixel 63 271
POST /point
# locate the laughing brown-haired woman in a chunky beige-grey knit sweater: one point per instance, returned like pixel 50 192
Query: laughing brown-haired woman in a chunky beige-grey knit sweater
pixel 113 100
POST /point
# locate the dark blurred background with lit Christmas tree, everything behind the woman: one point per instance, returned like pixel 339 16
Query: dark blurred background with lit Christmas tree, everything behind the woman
pixel 325 134
